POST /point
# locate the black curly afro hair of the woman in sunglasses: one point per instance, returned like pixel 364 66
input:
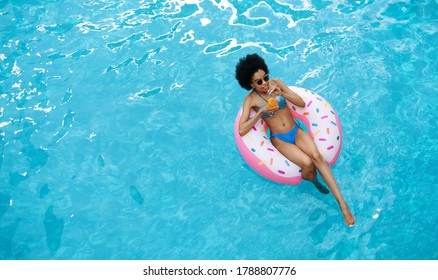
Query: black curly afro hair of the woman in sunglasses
pixel 246 68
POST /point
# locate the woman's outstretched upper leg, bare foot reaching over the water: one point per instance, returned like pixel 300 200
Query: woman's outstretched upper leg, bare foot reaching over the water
pixel 308 146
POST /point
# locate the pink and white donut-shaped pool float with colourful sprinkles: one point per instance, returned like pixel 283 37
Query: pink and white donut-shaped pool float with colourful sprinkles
pixel 322 124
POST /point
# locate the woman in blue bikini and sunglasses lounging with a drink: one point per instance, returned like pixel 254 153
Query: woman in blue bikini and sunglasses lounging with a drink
pixel 295 144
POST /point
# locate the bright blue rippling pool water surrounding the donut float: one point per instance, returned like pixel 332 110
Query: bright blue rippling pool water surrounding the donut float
pixel 116 125
